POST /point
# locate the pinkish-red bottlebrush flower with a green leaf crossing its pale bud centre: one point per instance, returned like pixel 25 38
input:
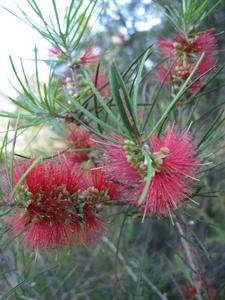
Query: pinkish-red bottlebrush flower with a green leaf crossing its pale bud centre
pixel 174 166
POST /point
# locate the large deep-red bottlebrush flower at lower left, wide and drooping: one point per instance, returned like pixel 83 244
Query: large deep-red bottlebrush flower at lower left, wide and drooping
pixel 50 209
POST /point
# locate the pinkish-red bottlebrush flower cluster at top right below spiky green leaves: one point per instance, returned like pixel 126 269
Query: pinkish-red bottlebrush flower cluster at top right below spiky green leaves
pixel 183 54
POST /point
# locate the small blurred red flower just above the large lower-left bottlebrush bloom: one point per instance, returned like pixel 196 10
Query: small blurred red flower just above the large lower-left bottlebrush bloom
pixel 82 139
